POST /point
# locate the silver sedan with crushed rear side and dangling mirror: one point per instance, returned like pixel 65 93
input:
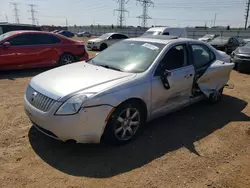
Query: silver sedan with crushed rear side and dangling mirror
pixel 134 81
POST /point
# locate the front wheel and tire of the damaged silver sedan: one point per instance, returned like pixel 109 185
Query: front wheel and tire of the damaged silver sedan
pixel 115 128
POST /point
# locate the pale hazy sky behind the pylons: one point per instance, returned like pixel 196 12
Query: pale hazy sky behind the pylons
pixel 175 13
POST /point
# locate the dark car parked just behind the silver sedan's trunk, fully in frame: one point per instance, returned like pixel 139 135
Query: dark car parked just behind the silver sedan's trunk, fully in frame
pixel 226 44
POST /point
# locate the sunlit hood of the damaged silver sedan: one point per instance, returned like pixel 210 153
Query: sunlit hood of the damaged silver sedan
pixel 78 77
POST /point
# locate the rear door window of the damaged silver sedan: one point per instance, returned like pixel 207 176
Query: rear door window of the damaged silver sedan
pixel 202 55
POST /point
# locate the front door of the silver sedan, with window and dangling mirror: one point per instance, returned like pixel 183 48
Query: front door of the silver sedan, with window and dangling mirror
pixel 180 81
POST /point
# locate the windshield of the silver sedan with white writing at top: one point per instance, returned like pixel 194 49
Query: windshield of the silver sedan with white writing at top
pixel 129 56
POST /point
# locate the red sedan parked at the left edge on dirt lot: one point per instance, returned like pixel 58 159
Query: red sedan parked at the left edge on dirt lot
pixel 29 49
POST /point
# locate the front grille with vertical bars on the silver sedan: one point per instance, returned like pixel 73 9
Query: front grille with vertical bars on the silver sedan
pixel 39 100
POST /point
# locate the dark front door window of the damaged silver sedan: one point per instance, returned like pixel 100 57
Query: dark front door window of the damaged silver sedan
pixel 175 58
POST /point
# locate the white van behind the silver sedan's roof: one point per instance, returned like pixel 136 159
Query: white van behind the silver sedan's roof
pixel 179 32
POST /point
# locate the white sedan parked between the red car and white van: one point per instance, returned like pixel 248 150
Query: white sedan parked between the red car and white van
pixel 104 41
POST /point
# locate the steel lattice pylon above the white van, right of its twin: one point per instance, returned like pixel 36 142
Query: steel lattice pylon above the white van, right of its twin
pixel 145 4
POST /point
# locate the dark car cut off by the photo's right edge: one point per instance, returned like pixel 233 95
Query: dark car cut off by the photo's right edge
pixel 241 58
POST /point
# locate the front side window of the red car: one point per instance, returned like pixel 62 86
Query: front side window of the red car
pixel 21 40
